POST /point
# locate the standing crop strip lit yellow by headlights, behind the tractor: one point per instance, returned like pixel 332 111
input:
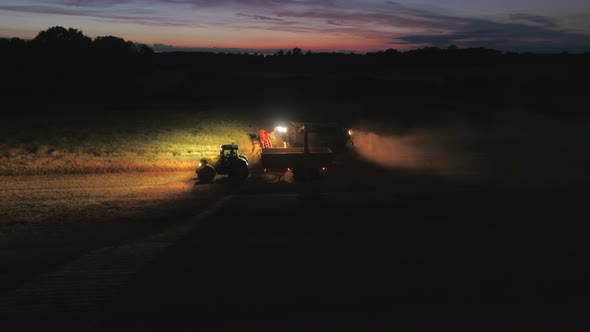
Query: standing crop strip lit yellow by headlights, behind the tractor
pixel 115 142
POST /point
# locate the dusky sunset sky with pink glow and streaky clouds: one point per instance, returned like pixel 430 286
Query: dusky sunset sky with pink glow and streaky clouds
pixel 317 25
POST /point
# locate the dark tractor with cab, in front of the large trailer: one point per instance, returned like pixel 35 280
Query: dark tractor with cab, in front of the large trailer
pixel 229 162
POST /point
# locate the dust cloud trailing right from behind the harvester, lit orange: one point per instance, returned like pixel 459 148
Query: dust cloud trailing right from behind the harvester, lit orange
pixel 510 146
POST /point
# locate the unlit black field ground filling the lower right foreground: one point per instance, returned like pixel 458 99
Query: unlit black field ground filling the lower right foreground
pixel 398 251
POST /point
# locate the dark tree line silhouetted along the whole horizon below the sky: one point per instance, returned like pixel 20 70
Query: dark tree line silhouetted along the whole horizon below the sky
pixel 70 46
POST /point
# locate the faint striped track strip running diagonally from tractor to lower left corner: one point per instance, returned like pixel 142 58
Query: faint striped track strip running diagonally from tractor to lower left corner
pixel 84 285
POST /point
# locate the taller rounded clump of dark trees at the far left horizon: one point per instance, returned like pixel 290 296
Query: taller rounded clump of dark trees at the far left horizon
pixel 63 60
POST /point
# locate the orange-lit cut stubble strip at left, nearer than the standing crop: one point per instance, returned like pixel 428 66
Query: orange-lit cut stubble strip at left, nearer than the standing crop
pixel 28 200
